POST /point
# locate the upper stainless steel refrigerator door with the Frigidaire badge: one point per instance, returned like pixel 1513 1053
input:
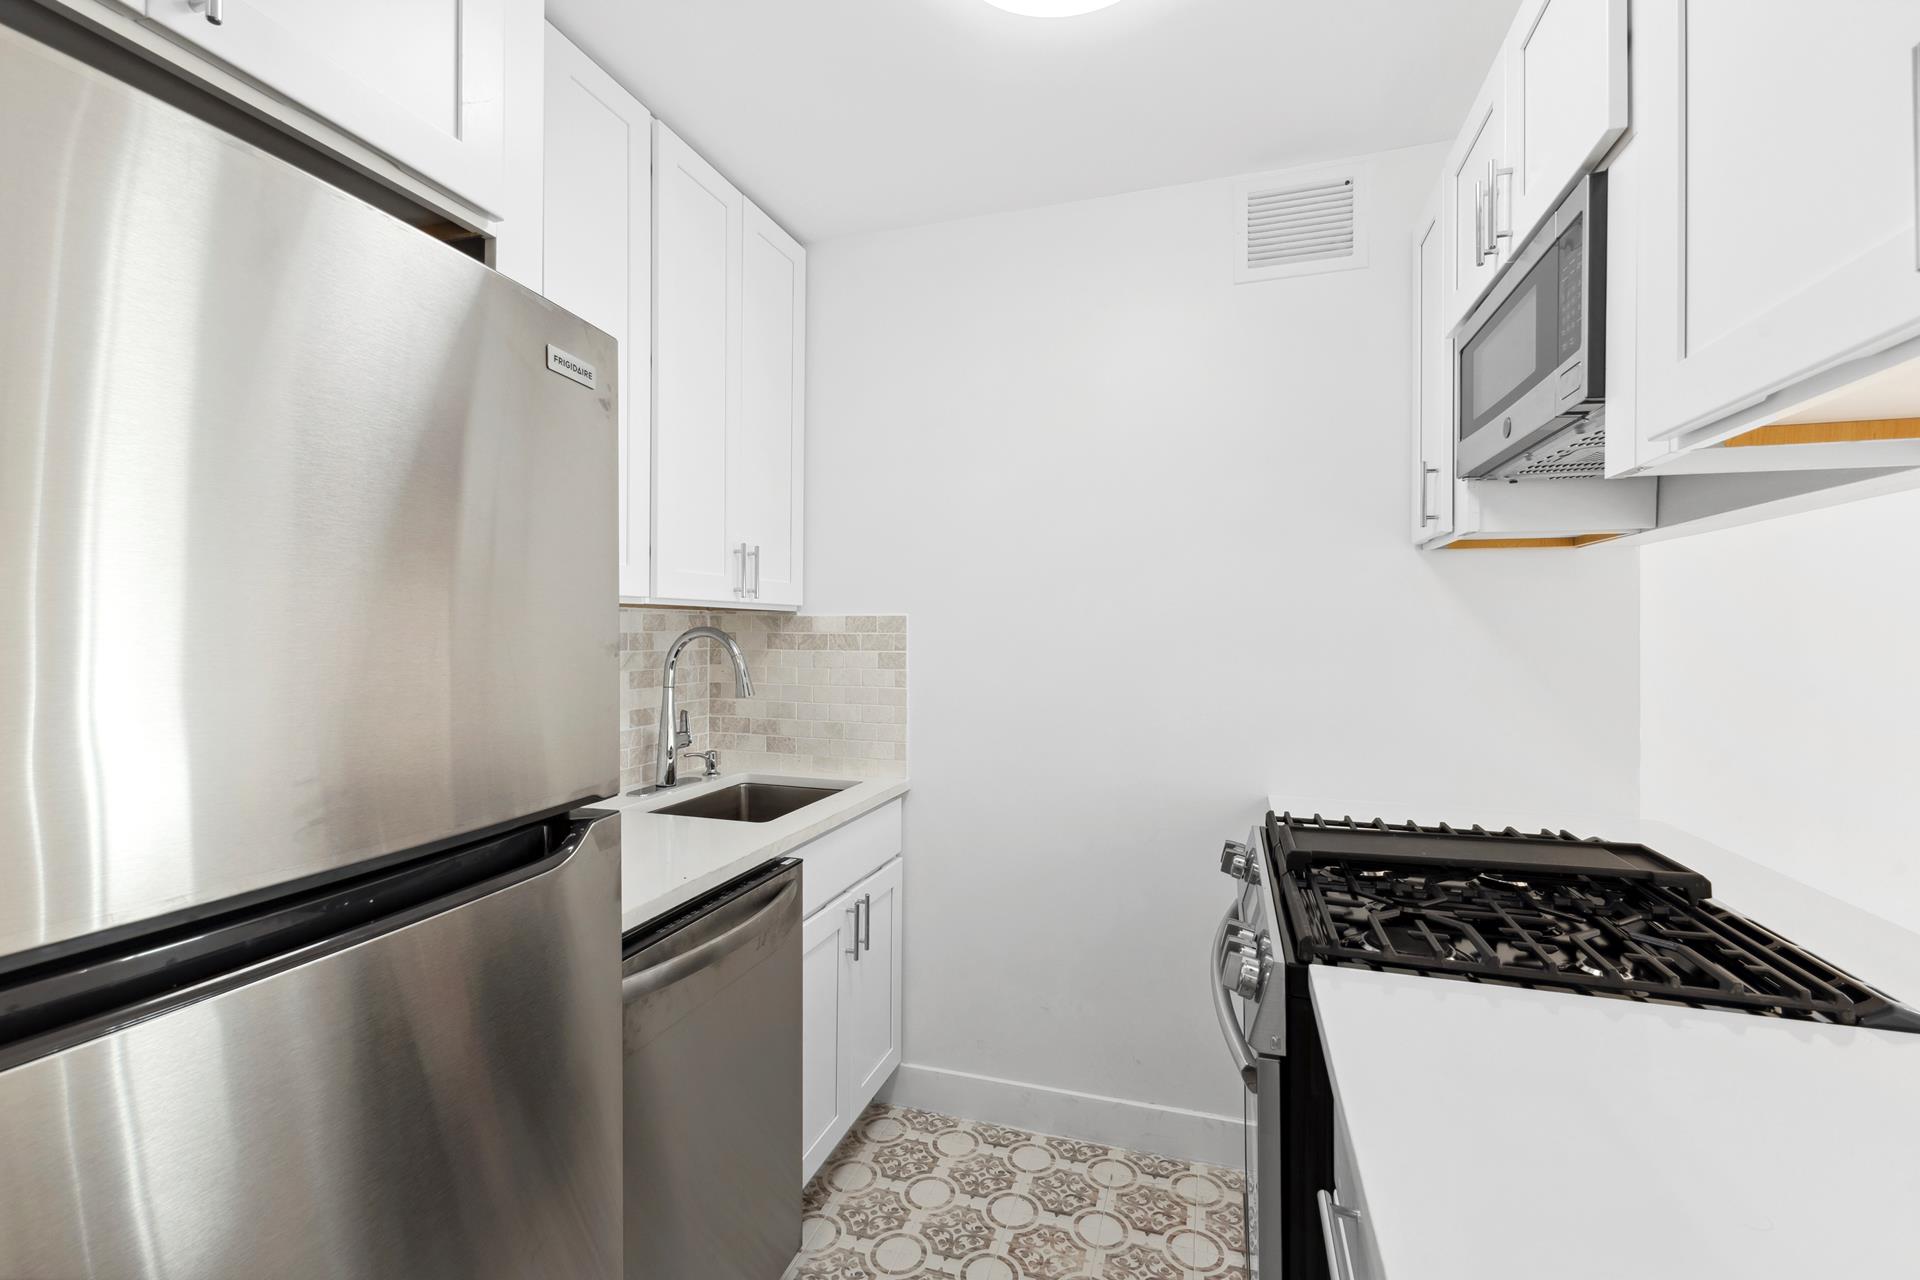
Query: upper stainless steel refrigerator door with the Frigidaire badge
pixel 306 556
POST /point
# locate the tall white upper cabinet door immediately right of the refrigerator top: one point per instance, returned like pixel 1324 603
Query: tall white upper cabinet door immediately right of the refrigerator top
pixel 600 256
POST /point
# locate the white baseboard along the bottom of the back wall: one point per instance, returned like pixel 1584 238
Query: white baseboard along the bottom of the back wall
pixel 1090 1118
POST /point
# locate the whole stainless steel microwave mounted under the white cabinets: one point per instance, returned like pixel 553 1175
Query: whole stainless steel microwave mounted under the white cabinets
pixel 1531 371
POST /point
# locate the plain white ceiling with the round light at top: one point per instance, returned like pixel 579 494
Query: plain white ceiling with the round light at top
pixel 848 116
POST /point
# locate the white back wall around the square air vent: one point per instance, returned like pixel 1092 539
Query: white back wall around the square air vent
pixel 1151 534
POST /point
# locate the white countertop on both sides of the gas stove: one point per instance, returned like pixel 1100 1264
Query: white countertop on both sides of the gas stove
pixel 1524 1133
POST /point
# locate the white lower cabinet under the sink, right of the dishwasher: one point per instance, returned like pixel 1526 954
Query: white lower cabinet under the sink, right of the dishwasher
pixel 850 976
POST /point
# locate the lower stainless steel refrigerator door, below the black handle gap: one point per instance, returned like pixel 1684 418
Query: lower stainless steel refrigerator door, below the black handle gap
pixel 437 1102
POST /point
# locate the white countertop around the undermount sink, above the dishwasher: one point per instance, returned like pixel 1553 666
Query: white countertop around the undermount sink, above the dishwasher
pixel 669 861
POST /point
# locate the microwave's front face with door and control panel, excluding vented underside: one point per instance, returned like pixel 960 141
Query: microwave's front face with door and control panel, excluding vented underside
pixel 1529 362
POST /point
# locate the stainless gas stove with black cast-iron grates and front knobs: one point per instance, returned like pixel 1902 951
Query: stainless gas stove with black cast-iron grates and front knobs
pixel 1524 909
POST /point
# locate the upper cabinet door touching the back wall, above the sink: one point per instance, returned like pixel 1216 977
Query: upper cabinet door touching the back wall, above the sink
pixel 765 448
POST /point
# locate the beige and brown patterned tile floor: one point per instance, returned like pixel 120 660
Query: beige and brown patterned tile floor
pixel 923 1197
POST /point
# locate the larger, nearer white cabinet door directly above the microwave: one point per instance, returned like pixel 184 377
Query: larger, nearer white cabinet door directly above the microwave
pixel 1566 99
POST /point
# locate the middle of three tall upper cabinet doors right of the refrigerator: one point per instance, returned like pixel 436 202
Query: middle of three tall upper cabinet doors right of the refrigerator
pixel 698 222
